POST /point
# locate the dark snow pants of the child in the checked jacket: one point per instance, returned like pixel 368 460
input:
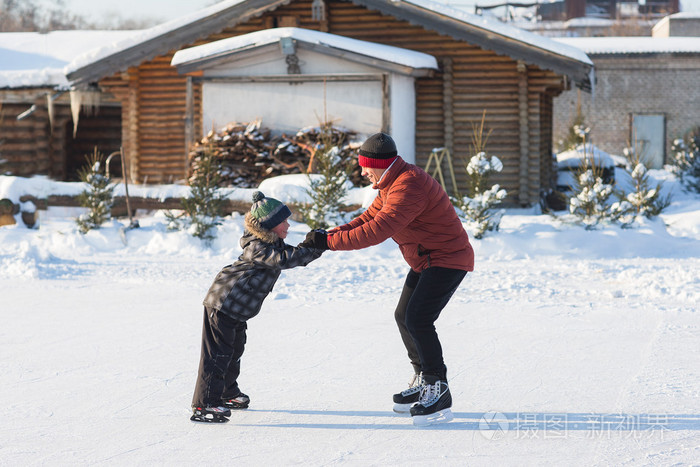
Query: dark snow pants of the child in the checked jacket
pixel 223 342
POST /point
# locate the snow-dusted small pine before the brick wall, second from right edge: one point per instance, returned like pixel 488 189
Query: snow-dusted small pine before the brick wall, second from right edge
pixel 643 200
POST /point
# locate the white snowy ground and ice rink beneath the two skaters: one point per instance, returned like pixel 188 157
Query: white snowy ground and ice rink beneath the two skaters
pixel 564 347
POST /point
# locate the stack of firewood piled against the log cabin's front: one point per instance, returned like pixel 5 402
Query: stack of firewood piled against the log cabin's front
pixel 249 153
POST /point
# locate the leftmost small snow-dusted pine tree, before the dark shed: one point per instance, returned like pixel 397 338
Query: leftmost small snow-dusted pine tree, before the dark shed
pixel 97 196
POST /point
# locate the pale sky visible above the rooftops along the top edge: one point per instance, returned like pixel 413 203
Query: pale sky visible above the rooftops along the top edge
pixel 98 10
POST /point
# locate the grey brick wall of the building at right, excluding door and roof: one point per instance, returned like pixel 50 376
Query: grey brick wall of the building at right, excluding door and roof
pixel 667 84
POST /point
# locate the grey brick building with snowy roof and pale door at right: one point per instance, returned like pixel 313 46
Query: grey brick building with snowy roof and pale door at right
pixel 647 90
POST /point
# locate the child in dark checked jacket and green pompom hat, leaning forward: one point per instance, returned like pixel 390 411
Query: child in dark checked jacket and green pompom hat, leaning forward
pixel 236 296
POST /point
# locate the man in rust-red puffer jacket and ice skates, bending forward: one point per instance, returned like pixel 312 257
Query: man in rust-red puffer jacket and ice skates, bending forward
pixel 414 210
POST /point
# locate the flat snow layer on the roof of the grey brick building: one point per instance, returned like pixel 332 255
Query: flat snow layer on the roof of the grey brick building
pixel 633 45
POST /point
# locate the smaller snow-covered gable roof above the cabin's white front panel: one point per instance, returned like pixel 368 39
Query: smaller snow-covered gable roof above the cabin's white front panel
pixel 408 58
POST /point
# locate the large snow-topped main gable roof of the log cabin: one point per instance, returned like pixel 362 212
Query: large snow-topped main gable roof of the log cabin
pixel 487 33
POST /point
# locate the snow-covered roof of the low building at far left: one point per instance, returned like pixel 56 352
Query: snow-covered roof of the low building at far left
pixel 32 59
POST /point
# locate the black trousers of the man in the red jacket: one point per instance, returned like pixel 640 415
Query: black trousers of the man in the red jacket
pixel 423 297
